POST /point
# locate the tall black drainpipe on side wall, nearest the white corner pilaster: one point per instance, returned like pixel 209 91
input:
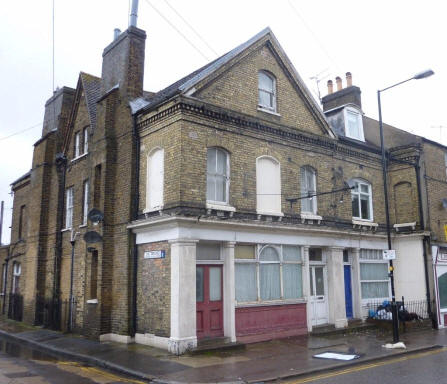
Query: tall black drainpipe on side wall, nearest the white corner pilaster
pixel 136 202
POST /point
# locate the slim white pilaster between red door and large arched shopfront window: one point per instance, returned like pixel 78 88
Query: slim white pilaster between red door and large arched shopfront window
pixel 229 291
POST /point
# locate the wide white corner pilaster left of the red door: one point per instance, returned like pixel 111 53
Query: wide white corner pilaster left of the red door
pixel 183 296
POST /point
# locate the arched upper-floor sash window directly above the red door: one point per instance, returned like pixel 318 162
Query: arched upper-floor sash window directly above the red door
pixel 217 176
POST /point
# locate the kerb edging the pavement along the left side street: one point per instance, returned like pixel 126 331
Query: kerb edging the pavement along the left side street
pixel 80 357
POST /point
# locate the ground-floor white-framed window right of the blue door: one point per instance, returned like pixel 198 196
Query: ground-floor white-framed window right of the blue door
pixel 374 279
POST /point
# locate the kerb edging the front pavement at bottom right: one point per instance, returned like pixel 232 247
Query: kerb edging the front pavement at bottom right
pixel 353 363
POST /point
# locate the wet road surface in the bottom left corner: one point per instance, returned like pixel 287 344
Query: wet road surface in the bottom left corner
pixel 22 365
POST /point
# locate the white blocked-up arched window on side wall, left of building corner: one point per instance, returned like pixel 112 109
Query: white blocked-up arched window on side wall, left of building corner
pixel 155 179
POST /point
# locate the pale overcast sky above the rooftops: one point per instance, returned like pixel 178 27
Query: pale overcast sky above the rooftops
pixel 380 42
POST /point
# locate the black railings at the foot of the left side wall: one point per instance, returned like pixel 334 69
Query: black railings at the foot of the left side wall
pixel 55 314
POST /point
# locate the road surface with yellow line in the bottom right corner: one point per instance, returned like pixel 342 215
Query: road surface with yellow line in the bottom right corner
pixel 420 368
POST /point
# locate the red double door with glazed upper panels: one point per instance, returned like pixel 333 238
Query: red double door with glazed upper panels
pixel 209 301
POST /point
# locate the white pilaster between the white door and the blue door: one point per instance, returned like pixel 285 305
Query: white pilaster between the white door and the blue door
pixel 336 287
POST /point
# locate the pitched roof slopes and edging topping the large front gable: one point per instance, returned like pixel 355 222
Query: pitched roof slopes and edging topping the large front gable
pixel 188 82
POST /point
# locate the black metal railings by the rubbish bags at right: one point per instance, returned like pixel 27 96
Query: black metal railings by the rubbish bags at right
pixel 413 310
